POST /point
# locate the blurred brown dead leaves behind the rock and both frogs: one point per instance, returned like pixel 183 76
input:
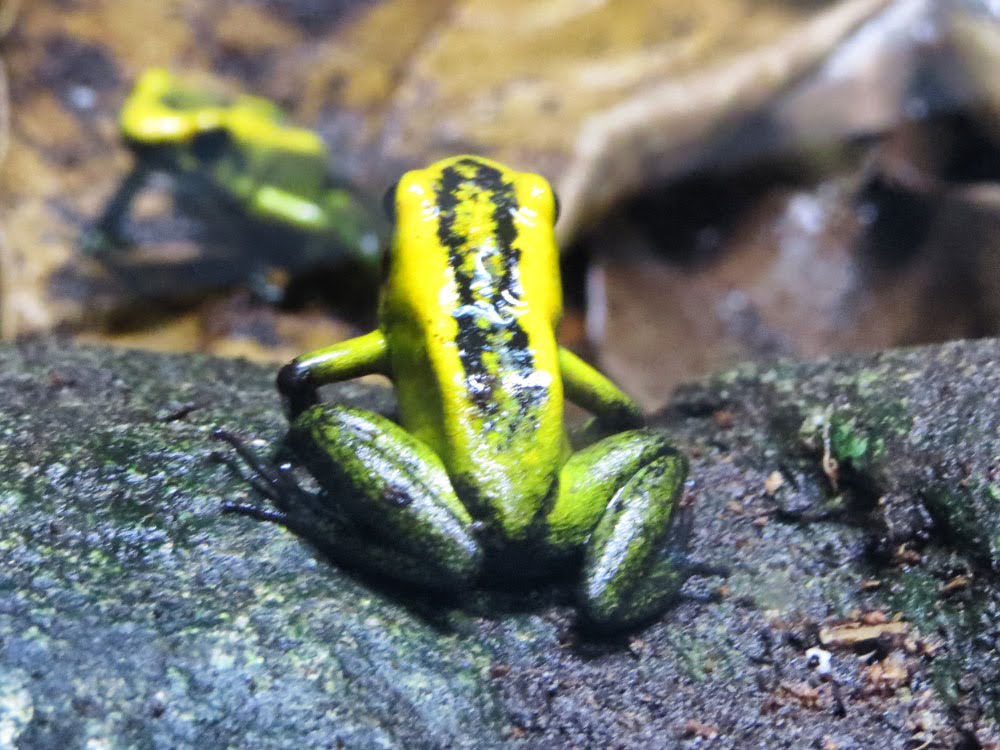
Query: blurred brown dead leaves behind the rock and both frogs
pixel 739 179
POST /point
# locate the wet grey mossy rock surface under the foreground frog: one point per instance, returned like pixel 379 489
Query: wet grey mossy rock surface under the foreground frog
pixel 854 502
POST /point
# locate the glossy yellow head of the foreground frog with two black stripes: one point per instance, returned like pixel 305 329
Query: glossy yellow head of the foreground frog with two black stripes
pixel 474 218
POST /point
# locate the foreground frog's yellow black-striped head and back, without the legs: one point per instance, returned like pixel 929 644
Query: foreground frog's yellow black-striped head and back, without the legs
pixel 469 309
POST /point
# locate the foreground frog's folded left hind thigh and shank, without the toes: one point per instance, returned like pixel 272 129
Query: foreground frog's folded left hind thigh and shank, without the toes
pixel 395 491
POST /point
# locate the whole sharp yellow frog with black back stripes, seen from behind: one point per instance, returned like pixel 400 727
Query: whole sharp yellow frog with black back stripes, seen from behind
pixel 478 475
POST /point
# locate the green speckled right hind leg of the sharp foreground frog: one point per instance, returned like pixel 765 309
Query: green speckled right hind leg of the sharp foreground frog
pixel 618 500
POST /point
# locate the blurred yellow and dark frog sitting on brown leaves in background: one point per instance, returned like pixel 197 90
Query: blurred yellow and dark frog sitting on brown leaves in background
pixel 239 155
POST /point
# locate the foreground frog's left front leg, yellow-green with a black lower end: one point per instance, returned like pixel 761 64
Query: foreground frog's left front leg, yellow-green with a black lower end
pixel 299 380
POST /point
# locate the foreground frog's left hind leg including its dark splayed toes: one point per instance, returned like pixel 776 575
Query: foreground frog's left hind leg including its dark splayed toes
pixel 369 514
